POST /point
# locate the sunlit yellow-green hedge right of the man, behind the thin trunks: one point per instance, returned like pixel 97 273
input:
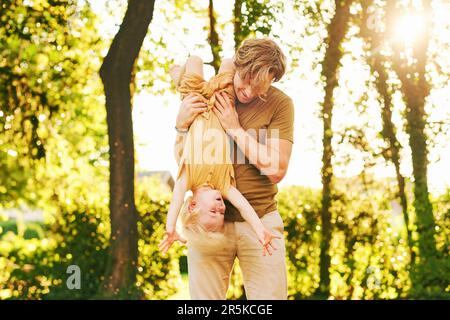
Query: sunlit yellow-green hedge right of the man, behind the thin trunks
pixel 369 250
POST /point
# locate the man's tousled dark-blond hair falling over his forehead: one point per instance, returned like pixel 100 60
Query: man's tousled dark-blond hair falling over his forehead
pixel 257 58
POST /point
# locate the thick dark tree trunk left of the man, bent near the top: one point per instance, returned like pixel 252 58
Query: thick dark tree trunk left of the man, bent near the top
pixel 116 74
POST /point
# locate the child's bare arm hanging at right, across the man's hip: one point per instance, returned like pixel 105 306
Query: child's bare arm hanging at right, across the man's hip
pixel 248 213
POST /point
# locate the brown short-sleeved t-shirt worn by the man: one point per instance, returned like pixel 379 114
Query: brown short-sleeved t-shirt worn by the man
pixel 269 118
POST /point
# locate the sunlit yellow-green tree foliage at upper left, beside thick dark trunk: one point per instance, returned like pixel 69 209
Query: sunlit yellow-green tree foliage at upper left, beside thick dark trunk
pixel 39 86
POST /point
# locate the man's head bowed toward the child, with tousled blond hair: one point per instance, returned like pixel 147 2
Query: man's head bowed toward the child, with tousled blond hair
pixel 258 62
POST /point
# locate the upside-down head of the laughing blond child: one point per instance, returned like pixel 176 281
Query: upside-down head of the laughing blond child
pixel 202 217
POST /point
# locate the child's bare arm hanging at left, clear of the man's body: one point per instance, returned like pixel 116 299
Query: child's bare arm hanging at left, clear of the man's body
pixel 179 191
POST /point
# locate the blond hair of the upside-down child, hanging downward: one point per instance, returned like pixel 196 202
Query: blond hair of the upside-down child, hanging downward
pixel 196 234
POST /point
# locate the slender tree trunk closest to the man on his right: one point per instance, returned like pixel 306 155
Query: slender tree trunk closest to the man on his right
pixel 330 65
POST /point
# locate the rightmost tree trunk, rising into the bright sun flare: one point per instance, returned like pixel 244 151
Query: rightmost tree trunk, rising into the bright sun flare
pixel 415 89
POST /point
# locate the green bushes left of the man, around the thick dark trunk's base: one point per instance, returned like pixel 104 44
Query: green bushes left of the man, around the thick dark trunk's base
pixel 37 268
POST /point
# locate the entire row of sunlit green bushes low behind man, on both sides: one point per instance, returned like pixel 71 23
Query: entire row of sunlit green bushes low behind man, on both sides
pixel 369 251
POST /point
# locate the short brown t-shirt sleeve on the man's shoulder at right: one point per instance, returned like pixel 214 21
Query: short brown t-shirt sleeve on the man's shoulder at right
pixel 281 125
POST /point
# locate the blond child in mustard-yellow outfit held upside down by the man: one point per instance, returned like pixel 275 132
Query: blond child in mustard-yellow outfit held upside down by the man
pixel 213 180
